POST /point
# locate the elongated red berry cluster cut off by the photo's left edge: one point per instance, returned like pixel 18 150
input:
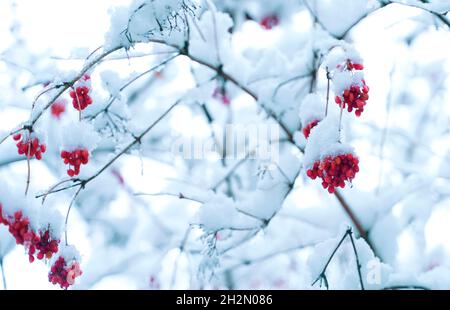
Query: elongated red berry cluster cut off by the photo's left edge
pixel 39 244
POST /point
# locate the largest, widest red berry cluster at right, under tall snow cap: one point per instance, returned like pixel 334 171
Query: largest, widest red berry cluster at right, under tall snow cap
pixel 335 170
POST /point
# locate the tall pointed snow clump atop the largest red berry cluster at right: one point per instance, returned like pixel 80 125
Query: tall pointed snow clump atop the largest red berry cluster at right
pixel 324 141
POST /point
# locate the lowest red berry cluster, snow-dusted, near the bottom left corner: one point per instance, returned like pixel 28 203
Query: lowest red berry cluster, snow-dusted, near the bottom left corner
pixel 64 274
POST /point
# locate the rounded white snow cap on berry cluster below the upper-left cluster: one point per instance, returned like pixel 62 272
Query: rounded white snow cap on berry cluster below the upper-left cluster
pixel 79 135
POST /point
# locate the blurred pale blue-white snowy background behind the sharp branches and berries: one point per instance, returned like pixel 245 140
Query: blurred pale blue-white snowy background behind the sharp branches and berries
pixel 401 194
